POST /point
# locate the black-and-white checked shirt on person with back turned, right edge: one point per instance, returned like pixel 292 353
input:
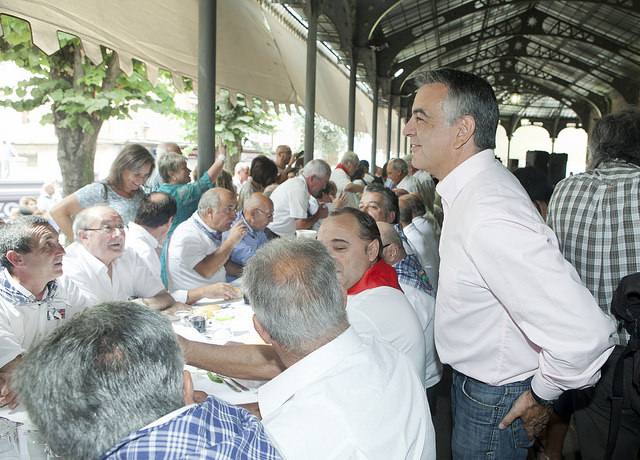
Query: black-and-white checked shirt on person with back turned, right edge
pixel 596 216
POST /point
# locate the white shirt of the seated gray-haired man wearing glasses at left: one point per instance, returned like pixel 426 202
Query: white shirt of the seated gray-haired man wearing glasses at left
pixel 130 276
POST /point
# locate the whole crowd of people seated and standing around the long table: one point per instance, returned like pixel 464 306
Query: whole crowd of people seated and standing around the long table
pixel 443 256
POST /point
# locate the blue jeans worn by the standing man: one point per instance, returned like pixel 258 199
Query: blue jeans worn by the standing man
pixel 477 409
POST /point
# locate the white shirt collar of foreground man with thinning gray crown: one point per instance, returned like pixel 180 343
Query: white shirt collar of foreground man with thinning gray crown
pixel 308 370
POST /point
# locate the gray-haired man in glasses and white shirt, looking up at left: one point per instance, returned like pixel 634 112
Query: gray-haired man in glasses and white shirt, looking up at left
pixel 103 268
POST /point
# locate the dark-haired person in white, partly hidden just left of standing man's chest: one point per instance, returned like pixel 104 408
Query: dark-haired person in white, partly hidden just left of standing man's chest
pixel 422 232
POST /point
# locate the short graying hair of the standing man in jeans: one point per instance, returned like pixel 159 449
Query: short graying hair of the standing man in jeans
pixel 468 94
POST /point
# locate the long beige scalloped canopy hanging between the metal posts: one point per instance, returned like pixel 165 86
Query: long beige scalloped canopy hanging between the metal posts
pixel 258 52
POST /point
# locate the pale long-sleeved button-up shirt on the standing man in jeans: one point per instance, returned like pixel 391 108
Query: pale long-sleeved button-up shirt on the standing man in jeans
pixel 509 306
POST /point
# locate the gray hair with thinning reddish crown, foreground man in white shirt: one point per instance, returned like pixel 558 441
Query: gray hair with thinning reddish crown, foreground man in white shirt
pixel 295 293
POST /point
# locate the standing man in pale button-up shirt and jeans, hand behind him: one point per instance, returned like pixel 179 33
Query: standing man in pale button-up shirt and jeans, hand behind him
pixel 512 316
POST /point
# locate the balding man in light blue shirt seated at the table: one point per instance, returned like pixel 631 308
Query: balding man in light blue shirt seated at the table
pixel 256 215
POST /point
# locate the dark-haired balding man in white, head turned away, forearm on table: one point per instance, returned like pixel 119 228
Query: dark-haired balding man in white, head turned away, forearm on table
pixel 145 237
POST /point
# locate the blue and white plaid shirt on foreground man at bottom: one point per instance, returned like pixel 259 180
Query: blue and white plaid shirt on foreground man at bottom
pixel 211 430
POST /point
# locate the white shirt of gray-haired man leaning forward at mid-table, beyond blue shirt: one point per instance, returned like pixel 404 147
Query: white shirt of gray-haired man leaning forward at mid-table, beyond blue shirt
pixel 290 202
